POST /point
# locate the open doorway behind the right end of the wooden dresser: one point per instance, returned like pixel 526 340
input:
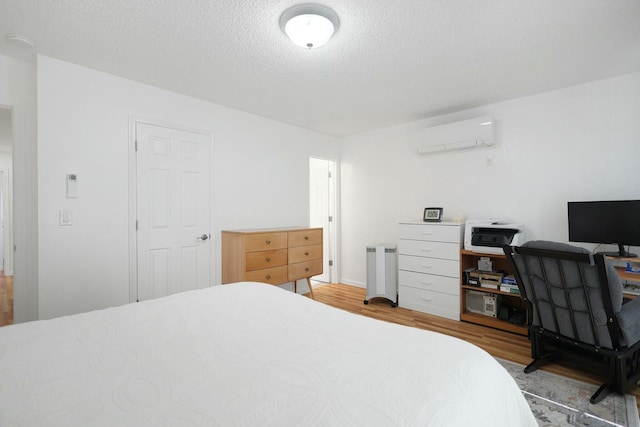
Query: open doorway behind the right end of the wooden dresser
pixel 322 211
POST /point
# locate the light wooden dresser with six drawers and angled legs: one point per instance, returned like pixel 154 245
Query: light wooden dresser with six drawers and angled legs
pixel 272 256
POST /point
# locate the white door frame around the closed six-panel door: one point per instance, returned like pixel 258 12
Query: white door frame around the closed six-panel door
pixel 133 185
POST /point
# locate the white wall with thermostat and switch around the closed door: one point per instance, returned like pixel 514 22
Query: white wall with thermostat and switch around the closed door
pixel 260 177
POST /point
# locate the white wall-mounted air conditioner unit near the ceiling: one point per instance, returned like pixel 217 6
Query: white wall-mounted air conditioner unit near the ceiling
pixel 467 134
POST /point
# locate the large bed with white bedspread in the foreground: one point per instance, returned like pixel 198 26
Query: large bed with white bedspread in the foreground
pixel 246 354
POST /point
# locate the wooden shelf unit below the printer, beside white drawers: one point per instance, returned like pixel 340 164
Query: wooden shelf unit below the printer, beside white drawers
pixel 469 259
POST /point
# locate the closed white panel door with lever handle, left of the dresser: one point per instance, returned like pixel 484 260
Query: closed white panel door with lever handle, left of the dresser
pixel 173 203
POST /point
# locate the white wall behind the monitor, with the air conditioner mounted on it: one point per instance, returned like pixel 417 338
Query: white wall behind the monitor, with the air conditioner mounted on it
pixel 579 143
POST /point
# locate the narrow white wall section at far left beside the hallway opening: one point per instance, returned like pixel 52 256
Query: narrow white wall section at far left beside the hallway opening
pixel 18 92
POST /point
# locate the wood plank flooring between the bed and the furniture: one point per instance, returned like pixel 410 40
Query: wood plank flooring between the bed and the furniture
pixel 504 345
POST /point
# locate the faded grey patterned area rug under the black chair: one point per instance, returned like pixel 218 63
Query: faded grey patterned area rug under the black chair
pixel 560 401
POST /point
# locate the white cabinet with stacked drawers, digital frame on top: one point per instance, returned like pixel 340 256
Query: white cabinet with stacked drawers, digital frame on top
pixel 429 267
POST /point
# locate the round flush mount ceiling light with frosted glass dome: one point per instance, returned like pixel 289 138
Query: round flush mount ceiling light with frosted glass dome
pixel 309 25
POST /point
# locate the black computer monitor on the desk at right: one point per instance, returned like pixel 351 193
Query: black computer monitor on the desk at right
pixel 606 222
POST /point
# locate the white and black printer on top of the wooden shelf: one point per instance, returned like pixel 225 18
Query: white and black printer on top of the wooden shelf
pixel 489 235
